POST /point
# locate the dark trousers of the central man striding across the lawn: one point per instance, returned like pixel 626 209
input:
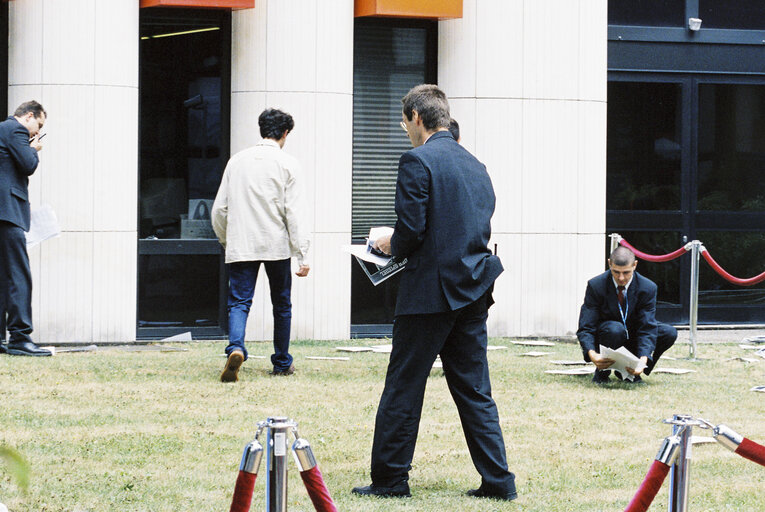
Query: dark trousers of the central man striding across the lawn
pixel 460 338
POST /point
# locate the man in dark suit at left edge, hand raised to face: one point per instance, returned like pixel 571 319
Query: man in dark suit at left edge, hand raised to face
pixel 19 145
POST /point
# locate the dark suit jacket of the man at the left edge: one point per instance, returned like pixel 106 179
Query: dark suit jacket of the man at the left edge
pixel 18 161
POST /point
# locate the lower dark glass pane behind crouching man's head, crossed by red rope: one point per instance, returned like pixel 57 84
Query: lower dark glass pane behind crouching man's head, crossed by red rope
pixel 666 275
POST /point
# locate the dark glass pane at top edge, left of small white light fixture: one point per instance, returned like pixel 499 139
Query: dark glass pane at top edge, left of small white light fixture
pixel 652 13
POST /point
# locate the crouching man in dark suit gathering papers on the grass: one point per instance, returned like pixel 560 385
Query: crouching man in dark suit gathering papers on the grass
pixel 619 310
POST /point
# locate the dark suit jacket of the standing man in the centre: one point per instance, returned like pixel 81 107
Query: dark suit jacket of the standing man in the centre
pixel 444 204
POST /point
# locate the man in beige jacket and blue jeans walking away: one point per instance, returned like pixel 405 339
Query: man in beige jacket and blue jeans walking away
pixel 257 218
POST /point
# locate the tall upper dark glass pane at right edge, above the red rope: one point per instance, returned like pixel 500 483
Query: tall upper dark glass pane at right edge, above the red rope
pixel 731 148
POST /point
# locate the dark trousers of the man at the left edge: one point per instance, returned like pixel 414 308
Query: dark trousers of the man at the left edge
pixel 15 283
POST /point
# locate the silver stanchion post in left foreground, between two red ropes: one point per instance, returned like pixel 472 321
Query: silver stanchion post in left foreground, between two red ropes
pixel 276 457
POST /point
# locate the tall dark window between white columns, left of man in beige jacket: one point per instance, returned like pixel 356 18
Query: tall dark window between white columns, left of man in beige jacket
pixel 184 141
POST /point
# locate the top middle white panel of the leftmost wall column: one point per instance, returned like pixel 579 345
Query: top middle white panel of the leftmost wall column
pixel 68 41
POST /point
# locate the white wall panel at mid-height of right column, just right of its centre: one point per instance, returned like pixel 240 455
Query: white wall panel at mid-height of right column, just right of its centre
pixel 550 162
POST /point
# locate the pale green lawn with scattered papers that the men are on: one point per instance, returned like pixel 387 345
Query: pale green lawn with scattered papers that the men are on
pixel 156 431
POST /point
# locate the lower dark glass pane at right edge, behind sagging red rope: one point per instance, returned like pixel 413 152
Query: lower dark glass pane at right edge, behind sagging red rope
pixel 741 254
